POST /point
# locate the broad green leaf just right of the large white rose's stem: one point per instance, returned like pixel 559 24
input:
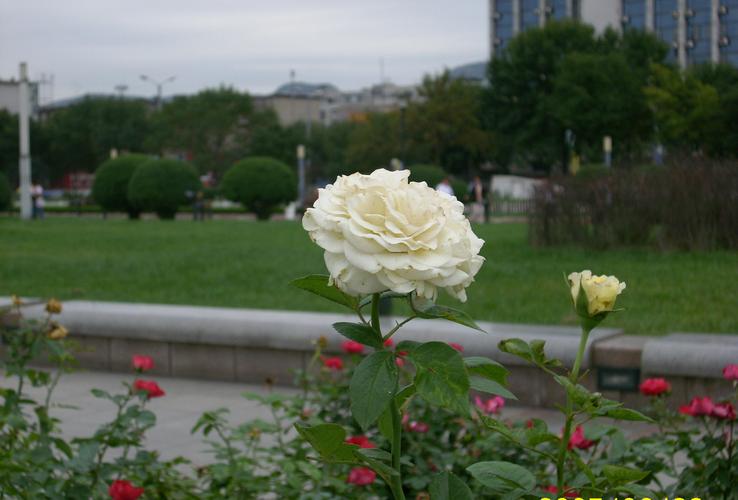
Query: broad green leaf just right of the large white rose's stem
pixel 441 378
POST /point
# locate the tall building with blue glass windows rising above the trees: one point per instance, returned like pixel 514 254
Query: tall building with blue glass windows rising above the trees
pixel 697 31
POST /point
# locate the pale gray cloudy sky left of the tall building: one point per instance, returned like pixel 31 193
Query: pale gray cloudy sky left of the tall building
pixel 94 45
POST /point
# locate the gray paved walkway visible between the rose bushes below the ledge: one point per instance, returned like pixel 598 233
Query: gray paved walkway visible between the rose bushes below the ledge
pixel 183 404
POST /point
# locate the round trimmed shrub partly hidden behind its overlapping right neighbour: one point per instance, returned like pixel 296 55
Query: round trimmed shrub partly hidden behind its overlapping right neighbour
pixel 110 189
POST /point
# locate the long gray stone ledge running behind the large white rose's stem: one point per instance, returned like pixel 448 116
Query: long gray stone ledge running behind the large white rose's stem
pixel 291 330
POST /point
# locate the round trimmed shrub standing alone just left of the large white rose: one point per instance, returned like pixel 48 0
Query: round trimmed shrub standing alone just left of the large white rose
pixel 261 184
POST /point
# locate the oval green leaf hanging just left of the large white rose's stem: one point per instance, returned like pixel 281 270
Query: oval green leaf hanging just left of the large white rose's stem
pixel 372 387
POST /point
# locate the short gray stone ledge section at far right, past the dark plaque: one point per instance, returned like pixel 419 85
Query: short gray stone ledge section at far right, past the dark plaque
pixel 690 354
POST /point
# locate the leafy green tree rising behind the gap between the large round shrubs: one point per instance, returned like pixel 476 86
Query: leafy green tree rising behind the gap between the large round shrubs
pixel 211 127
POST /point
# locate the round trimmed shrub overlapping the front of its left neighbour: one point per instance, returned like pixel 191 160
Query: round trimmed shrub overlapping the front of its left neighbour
pixel 162 186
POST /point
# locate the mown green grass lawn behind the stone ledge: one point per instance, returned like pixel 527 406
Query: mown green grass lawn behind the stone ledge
pixel 248 264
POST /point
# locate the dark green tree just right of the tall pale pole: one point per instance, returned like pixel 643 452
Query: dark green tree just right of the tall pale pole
pixel 81 136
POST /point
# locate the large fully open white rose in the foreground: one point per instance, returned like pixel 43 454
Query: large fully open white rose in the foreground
pixel 381 232
